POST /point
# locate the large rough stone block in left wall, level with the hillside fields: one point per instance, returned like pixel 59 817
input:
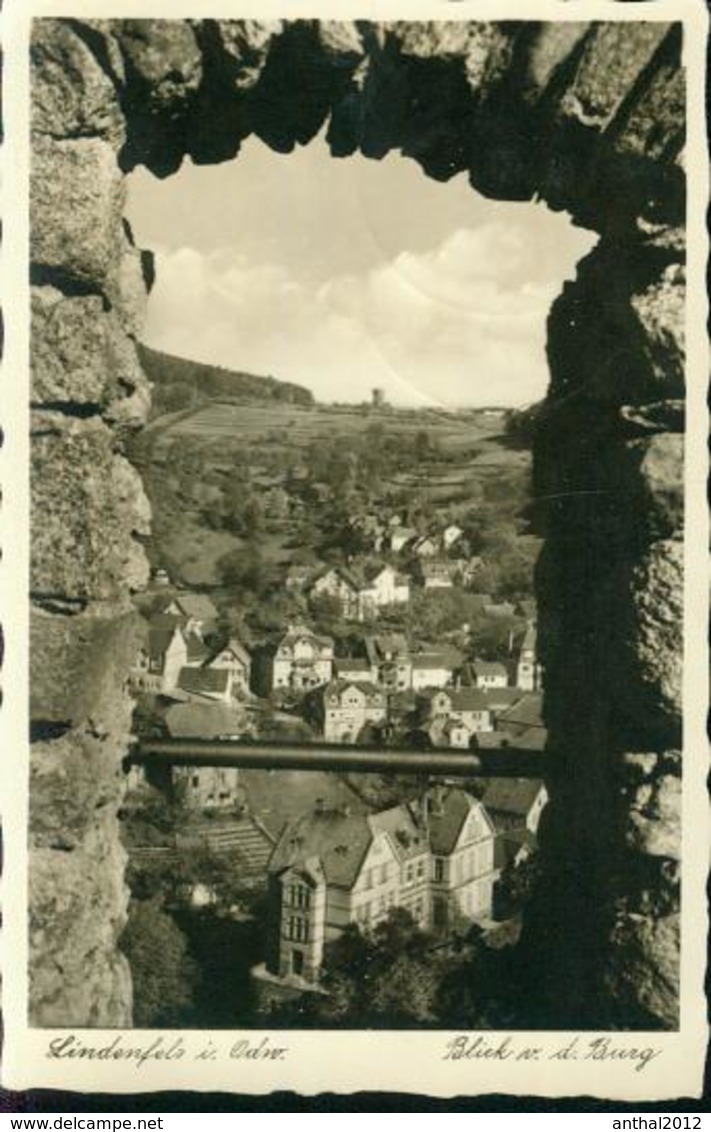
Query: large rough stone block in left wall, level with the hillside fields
pixel 88 504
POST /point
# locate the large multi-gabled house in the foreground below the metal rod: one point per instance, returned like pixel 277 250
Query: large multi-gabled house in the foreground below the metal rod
pixel 332 868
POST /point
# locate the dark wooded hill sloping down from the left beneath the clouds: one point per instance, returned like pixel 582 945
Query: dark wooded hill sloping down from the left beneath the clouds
pixel 181 384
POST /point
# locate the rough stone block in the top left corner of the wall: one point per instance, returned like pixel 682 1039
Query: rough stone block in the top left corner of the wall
pixel 72 95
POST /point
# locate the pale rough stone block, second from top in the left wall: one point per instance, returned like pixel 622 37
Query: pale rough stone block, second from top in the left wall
pixel 78 196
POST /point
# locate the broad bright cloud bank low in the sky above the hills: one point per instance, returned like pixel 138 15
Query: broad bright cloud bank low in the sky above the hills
pixel 460 323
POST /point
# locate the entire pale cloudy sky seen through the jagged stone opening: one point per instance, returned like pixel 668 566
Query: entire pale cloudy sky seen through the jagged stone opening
pixel 350 275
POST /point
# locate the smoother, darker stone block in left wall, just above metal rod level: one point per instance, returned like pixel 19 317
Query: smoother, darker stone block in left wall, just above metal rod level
pixel 80 666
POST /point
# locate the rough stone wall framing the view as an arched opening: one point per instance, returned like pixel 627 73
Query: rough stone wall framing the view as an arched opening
pixel 590 118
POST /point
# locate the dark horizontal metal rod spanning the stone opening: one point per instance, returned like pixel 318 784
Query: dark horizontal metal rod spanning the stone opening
pixel 503 762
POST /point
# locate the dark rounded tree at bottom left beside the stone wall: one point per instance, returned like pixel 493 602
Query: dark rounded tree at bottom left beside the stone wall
pixel 165 976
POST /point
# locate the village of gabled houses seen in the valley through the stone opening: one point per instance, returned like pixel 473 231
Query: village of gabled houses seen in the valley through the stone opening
pixel 336 851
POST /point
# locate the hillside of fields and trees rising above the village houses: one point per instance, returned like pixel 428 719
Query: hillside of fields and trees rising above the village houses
pixel 244 488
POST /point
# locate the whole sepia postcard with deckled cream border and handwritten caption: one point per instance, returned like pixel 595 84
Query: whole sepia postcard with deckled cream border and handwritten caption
pixel 362 611
